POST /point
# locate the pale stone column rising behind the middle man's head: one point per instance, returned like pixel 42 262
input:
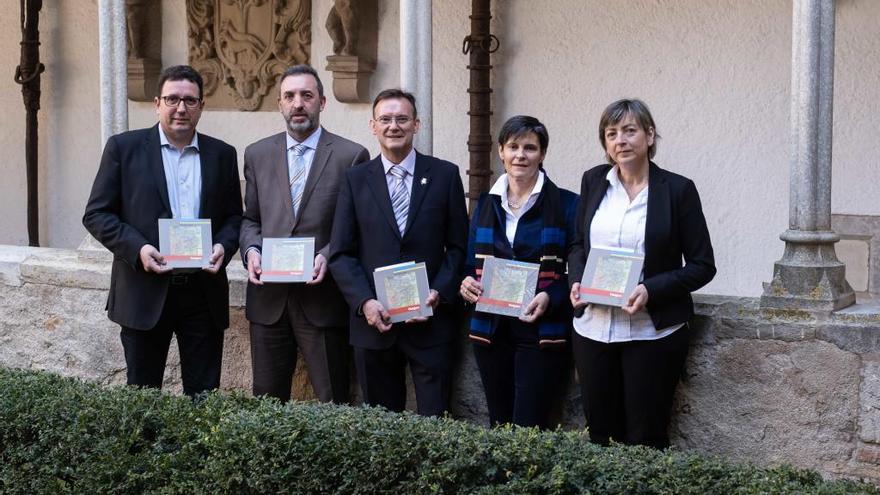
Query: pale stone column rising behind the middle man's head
pixel 416 64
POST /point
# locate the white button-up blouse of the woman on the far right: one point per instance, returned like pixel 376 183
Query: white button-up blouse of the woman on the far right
pixel 619 224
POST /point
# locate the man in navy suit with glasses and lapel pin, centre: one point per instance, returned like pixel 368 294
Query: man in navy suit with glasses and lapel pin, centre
pixel 401 206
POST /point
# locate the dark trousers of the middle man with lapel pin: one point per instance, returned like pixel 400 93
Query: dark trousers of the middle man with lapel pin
pixel 382 376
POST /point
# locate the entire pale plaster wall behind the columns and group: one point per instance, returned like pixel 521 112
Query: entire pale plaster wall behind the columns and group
pixel 716 75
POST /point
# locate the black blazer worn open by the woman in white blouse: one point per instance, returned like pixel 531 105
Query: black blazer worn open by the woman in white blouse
pixel 675 228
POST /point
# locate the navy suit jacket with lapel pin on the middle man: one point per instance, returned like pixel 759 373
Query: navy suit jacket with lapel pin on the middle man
pixel 365 237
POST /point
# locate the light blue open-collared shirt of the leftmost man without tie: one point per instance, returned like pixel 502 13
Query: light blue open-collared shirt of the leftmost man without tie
pixel 183 176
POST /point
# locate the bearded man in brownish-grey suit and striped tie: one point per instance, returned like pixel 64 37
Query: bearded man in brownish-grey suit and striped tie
pixel 293 180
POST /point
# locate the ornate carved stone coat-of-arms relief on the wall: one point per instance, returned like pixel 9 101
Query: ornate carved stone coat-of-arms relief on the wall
pixel 242 46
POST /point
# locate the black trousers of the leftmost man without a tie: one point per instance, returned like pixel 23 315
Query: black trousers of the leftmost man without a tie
pixel 199 342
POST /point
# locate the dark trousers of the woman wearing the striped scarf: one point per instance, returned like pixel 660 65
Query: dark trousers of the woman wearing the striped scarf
pixel 522 381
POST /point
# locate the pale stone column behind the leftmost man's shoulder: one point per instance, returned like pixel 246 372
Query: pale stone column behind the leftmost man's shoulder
pixel 113 68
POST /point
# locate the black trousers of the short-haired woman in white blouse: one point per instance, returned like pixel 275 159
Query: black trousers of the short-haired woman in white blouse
pixel 627 387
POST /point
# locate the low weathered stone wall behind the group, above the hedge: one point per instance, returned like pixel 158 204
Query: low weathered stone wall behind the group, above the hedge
pixel 760 386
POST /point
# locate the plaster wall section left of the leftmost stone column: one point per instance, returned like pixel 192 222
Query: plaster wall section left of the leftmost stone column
pixel 68 122
